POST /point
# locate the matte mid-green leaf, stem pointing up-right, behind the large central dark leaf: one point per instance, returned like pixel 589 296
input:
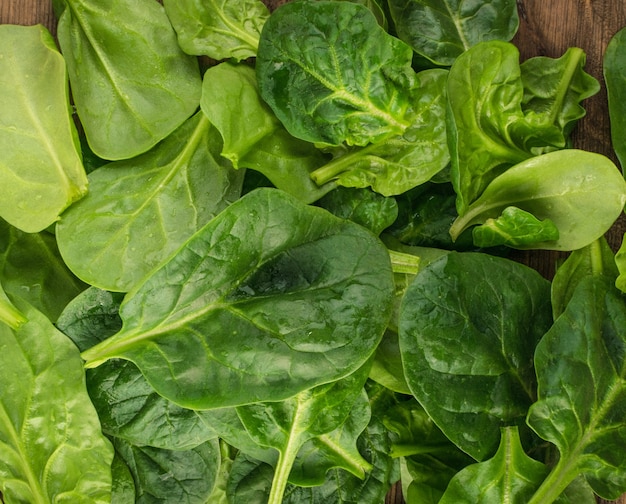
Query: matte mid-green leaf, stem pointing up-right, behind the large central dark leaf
pixel 140 211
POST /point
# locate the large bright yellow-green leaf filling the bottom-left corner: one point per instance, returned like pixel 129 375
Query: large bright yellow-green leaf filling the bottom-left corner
pixel 50 439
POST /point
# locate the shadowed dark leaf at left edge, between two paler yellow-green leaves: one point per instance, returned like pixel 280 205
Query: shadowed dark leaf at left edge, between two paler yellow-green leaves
pixel 32 268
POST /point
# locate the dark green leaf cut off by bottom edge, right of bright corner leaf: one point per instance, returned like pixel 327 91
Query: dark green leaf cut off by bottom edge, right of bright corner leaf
pixel 164 476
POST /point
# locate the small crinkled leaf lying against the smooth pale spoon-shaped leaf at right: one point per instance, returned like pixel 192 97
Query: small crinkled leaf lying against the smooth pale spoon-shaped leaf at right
pixel 514 228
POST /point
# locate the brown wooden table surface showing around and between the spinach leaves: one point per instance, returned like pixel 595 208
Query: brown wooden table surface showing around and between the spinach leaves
pixel 547 28
